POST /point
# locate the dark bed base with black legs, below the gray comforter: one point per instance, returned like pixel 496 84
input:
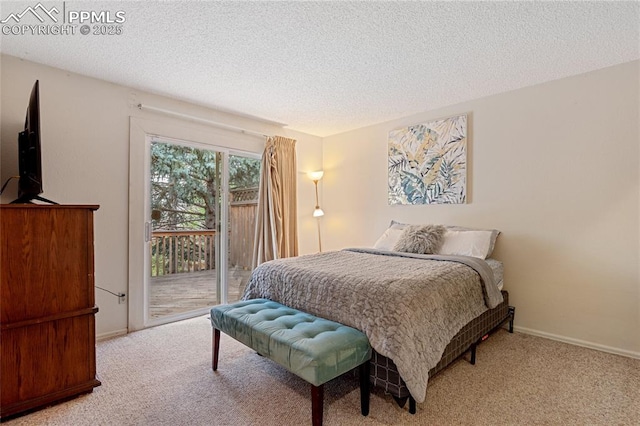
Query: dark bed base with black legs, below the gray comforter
pixel 384 372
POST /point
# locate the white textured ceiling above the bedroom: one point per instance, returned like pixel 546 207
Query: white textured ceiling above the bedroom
pixel 328 67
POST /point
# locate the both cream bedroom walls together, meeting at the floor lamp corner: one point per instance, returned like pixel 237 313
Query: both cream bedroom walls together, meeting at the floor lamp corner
pixel 554 166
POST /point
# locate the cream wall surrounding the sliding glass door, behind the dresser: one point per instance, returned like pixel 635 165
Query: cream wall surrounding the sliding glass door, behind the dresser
pixel 85 159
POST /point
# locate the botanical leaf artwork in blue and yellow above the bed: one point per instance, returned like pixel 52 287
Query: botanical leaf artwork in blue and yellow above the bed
pixel 428 162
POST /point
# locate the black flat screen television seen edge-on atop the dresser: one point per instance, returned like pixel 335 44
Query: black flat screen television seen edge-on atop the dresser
pixel 29 157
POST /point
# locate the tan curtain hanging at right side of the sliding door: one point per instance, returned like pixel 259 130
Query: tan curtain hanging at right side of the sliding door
pixel 276 218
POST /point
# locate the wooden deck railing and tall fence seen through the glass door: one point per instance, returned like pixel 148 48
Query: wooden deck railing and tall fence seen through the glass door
pixel 181 251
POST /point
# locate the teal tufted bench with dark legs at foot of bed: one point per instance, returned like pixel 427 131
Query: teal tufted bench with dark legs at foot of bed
pixel 315 349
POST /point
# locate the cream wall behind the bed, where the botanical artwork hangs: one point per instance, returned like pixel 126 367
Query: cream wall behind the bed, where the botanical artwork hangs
pixel 555 167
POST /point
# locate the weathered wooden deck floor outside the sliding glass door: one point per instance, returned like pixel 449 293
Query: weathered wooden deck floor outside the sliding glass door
pixel 177 293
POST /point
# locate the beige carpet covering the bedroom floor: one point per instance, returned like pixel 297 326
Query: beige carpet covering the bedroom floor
pixel 162 376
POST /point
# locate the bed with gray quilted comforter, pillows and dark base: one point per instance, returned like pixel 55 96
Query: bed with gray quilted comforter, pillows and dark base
pixel 420 310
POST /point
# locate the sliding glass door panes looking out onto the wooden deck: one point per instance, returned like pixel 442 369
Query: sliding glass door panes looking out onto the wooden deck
pixel 200 227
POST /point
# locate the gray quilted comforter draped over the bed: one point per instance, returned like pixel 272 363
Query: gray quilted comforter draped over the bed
pixel 408 305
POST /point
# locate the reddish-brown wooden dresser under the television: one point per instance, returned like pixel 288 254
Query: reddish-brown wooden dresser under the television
pixel 47 305
